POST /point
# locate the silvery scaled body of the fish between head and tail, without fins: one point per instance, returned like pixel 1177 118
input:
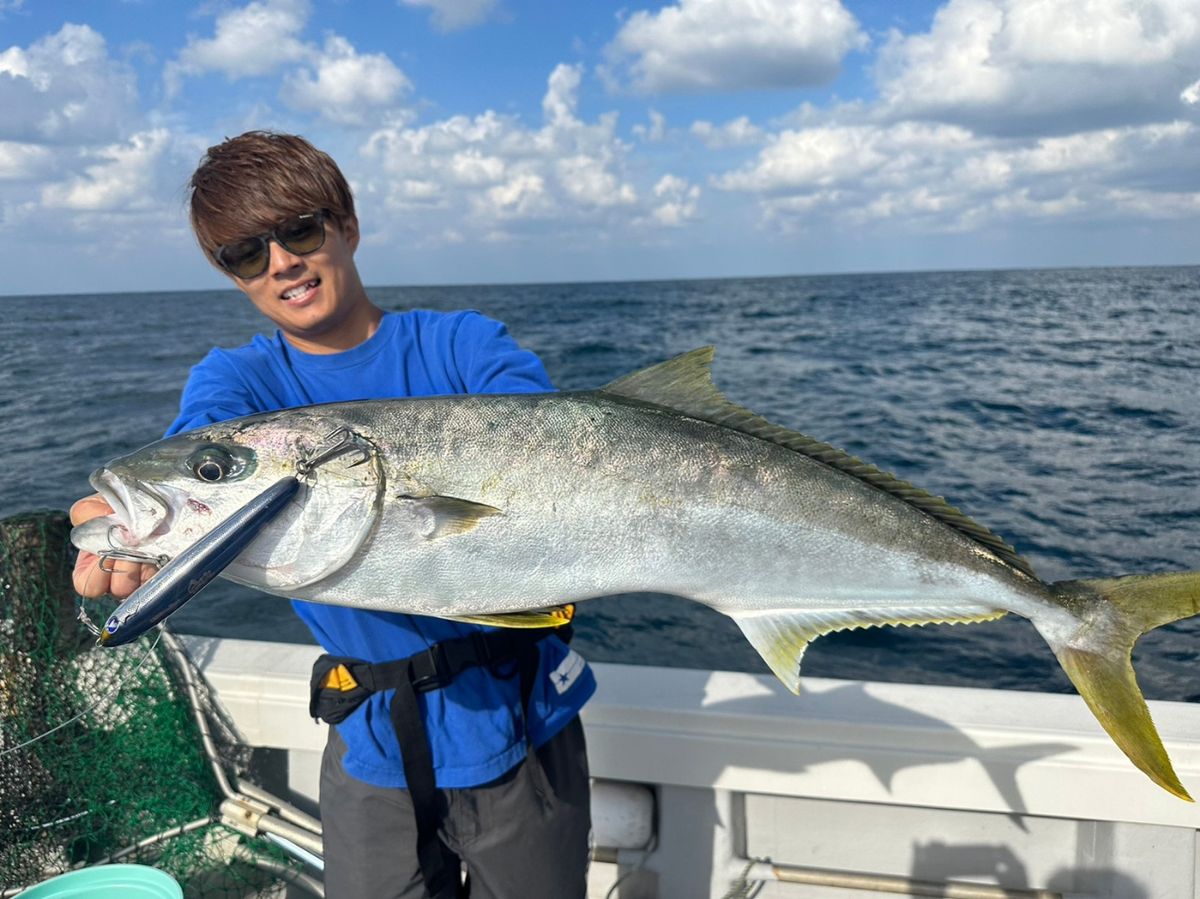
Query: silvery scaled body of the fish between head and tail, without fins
pixel 602 496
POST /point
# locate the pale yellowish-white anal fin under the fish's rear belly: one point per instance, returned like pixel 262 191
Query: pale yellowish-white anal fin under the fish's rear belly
pixel 783 636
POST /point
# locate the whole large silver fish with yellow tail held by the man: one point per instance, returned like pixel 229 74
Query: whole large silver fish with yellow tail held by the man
pixel 473 507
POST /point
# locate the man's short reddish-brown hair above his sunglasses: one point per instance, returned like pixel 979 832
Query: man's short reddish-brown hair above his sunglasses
pixel 249 184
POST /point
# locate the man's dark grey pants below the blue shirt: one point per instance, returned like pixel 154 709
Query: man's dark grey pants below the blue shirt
pixel 521 837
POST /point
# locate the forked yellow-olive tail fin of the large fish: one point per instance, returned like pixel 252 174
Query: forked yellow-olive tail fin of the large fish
pixel 1099 657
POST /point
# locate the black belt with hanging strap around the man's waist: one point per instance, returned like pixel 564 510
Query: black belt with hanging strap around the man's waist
pixel 341 685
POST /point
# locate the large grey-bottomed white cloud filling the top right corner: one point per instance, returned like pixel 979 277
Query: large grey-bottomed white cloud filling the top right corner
pixel 1043 67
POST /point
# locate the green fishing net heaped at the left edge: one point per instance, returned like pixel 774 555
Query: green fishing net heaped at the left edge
pixel 101 751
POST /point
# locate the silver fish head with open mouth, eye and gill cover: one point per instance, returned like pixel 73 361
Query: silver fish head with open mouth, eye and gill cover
pixel 169 495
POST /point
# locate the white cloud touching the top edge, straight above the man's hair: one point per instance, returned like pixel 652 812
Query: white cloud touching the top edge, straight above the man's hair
pixel 253 40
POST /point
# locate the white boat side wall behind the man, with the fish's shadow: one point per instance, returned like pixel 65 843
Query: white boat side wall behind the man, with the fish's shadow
pixel 847 792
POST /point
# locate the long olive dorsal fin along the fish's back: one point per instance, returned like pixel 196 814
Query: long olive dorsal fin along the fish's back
pixel 686 385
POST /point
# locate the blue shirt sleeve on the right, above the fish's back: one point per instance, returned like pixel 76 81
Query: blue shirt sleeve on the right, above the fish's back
pixel 490 362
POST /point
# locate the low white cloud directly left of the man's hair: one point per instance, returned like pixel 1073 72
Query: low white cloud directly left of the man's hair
pixel 123 178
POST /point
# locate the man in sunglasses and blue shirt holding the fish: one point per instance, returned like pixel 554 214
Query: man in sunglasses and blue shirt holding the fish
pixel 508 790
